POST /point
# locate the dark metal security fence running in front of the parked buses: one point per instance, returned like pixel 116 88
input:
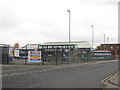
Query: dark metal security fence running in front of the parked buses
pixel 60 56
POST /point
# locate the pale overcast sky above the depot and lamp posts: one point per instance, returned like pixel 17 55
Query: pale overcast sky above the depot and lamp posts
pixel 37 21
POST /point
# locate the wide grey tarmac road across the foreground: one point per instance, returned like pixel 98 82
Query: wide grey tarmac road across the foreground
pixel 81 76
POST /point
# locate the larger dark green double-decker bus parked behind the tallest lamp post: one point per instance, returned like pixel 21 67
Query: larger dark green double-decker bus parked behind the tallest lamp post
pixel 58 51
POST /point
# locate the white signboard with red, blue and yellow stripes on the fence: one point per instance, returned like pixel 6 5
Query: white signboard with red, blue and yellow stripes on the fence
pixel 34 56
